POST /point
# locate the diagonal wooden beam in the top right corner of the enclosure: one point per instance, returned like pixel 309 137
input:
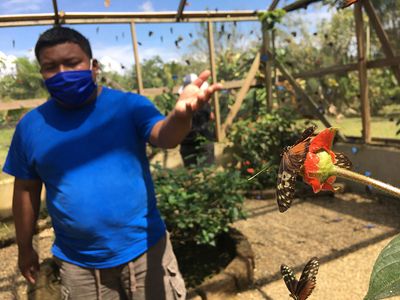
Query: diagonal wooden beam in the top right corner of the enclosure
pixel 380 32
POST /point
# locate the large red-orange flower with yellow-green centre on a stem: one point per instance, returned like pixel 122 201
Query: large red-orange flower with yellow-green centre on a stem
pixel 319 163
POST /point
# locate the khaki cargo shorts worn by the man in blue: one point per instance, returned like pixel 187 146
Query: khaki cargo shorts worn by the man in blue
pixel 153 275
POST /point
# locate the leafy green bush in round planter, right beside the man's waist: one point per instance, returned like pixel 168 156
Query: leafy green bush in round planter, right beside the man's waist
pixel 198 204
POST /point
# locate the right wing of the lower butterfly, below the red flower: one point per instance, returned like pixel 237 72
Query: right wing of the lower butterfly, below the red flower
pixel 308 279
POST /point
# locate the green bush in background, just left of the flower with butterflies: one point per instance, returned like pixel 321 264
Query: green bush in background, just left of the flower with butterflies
pixel 258 143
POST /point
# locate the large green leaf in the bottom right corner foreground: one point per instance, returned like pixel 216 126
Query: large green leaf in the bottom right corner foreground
pixel 385 276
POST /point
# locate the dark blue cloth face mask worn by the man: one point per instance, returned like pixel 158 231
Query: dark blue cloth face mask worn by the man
pixel 71 87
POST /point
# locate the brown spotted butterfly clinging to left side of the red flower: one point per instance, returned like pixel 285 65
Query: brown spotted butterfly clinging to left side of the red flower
pixel 292 159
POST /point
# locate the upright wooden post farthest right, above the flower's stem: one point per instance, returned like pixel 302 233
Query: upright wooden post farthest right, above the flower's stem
pixel 362 73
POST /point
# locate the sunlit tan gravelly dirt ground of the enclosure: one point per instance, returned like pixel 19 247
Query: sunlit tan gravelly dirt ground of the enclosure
pixel 345 232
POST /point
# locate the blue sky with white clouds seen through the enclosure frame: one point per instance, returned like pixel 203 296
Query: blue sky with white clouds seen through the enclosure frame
pixel 114 41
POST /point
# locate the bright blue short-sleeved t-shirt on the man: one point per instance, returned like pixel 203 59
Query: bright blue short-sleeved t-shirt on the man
pixel 93 162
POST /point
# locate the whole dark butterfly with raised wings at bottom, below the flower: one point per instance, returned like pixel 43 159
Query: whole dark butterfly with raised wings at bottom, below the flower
pixel 302 289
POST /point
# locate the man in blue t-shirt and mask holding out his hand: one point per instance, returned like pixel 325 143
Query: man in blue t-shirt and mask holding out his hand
pixel 87 146
